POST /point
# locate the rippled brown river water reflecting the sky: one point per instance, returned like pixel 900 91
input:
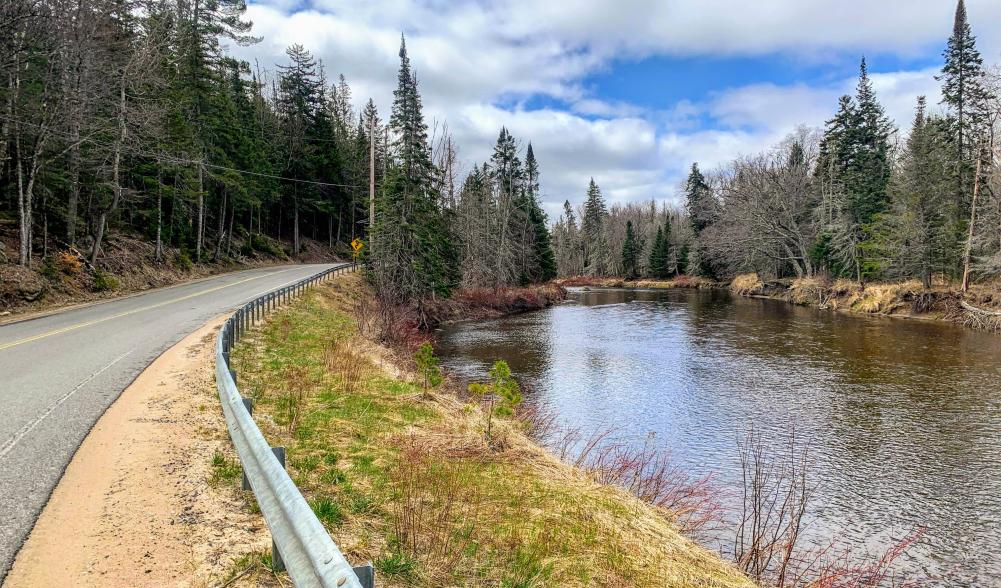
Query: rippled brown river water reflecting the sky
pixel 902 418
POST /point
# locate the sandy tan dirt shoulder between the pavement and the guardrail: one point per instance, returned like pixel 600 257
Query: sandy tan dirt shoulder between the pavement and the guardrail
pixel 137 506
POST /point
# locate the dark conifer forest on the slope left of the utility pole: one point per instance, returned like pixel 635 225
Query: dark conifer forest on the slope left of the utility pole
pixel 129 116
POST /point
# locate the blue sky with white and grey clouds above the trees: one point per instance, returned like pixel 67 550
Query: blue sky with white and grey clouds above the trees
pixel 630 93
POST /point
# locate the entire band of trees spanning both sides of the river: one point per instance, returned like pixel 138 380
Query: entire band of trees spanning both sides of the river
pixel 129 117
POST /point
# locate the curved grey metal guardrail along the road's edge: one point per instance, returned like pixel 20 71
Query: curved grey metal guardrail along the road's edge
pixel 301 544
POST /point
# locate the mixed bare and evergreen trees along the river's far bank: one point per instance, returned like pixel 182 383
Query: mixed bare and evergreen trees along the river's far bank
pixel 852 201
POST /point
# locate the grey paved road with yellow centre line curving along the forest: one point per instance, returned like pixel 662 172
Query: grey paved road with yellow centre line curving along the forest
pixel 59 375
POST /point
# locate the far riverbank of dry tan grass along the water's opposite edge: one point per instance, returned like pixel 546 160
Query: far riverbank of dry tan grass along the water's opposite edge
pixel 980 308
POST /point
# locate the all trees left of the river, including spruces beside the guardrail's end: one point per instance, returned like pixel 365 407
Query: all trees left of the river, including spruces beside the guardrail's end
pixel 129 118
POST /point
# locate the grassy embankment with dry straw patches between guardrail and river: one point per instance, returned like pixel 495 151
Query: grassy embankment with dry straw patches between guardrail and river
pixel 408 479
